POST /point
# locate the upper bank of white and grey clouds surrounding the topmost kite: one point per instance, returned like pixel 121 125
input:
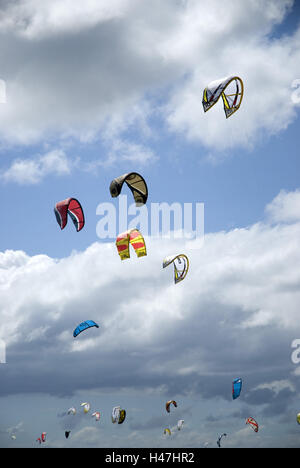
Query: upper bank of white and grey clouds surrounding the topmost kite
pixel 76 72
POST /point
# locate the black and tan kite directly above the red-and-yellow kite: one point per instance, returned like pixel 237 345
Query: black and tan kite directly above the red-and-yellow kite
pixel 135 182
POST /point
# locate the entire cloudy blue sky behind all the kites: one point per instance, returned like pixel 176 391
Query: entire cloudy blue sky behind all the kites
pixel 93 90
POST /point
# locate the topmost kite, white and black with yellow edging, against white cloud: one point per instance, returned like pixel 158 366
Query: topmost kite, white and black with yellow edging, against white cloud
pixel 231 89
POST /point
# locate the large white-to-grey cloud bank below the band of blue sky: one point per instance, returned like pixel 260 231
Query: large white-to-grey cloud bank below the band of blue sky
pixel 236 313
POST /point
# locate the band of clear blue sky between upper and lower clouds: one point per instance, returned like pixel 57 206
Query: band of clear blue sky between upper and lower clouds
pixel 234 192
